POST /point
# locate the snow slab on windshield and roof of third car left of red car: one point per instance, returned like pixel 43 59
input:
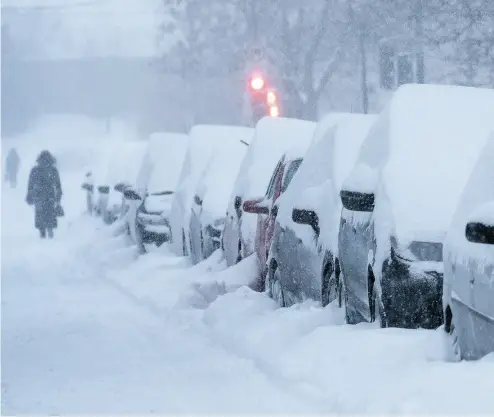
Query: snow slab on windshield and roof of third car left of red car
pixel 164 159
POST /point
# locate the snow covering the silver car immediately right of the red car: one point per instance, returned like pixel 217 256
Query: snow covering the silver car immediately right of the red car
pixel 317 183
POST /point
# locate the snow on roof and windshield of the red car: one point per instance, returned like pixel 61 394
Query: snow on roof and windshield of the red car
pixel 273 137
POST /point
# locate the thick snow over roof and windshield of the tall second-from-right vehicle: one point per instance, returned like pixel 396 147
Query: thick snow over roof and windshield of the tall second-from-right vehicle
pixel 423 147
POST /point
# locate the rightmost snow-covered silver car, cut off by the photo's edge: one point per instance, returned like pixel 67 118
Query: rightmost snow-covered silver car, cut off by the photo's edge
pixel 468 295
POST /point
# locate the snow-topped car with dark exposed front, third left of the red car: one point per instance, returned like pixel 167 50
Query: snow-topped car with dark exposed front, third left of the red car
pixel 150 199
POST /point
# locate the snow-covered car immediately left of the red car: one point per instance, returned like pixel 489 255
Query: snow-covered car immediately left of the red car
pixel 210 200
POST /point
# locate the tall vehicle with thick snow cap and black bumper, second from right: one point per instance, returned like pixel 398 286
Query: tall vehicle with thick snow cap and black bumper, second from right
pixel 399 201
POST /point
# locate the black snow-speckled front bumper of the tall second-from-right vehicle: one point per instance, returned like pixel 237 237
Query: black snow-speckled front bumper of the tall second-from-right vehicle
pixel 411 299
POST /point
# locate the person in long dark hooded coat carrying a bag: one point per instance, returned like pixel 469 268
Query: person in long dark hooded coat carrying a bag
pixel 45 193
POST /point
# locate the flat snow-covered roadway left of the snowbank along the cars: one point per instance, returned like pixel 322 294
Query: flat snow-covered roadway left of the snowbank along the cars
pixel 74 343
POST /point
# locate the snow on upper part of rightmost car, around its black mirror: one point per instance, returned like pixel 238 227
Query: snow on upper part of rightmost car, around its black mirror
pixel 475 204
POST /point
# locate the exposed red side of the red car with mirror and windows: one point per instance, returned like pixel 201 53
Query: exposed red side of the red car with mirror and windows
pixel 267 209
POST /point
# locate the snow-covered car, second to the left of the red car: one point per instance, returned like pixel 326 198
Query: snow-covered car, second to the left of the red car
pixel 204 141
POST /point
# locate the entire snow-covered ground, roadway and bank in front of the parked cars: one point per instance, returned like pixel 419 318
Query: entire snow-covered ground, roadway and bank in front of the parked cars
pixel 90 327
